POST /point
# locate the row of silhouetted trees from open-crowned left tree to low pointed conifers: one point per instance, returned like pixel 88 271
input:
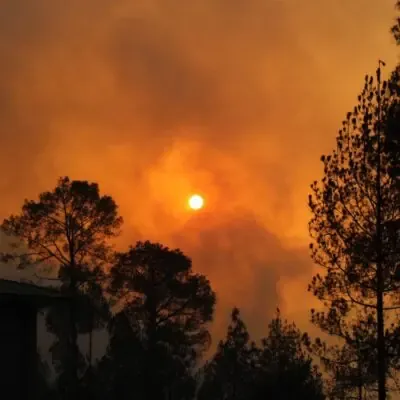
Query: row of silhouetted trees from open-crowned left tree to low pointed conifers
pixel 156 308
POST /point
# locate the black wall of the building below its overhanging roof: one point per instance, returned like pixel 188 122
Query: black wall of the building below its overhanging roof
pixel 18 362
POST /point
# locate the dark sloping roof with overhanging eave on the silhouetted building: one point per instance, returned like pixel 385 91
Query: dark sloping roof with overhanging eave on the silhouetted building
pixel 34 294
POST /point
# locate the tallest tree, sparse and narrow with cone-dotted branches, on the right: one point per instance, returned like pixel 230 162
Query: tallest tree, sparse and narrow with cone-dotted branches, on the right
pixel 354 226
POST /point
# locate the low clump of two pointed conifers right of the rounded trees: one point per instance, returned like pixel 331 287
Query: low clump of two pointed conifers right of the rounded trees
pixel 279 369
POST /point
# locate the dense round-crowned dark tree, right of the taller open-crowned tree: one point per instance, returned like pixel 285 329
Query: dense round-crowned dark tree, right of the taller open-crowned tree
pixel 168 307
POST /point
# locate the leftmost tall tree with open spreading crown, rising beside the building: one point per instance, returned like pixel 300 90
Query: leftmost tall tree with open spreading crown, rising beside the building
pixel 68 229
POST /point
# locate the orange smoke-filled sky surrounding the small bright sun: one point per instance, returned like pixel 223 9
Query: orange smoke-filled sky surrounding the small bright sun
pixel 156 99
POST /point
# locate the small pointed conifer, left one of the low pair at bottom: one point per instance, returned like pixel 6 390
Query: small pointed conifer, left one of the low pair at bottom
pixel 230 374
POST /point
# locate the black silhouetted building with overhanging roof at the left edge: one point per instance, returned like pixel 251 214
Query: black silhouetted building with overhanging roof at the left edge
pixel 19 305
